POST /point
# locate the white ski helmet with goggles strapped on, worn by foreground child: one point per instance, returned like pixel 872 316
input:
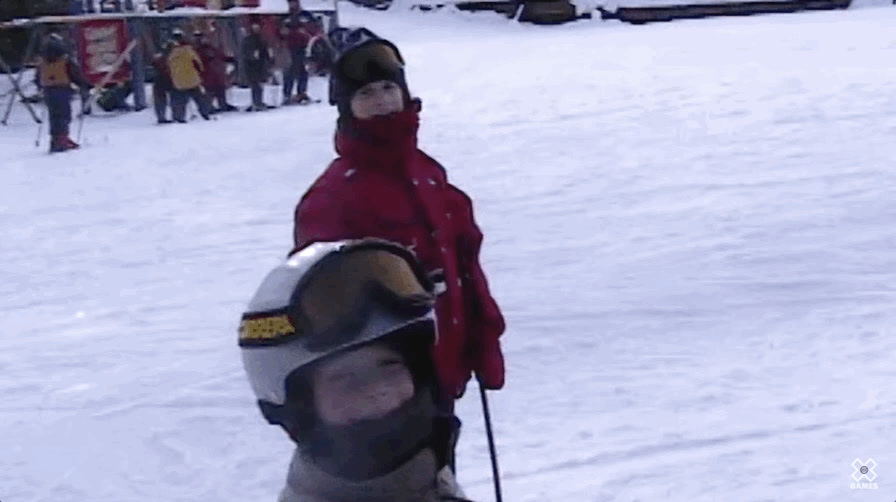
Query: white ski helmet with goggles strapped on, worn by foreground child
pixel 328 297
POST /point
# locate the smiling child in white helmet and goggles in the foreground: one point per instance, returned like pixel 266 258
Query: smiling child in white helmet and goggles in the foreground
pixel 351 382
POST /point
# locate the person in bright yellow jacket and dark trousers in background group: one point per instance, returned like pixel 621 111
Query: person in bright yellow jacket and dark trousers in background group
pixel 185 68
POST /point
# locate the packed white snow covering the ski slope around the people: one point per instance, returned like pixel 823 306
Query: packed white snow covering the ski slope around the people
pixel 690 227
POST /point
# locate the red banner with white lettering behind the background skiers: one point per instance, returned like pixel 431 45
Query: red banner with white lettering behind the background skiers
pixel 99 44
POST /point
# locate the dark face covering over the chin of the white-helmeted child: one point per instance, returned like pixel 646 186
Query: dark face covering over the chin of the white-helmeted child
pixel 375 447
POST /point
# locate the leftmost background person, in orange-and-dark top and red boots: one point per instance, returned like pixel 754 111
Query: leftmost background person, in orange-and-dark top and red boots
pixel 56 74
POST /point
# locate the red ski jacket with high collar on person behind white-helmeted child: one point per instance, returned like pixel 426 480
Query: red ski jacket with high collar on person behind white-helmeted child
pixel 383 186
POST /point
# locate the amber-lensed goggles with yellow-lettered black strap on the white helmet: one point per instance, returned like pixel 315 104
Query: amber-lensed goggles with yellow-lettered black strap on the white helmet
pixel 335 301
